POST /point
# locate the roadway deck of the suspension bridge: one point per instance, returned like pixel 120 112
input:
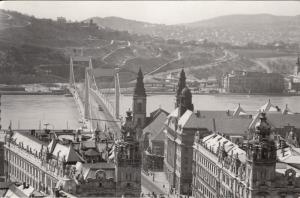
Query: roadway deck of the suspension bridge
pixel 98 116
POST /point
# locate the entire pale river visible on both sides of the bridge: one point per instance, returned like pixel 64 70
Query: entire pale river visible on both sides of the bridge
pixel 60 112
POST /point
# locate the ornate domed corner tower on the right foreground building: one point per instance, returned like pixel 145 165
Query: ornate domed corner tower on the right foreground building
pixel 261 158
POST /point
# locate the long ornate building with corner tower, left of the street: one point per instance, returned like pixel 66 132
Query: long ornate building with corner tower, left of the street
pixel 68 163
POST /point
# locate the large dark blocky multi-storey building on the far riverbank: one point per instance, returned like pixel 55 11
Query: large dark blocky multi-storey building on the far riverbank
pixel 253 82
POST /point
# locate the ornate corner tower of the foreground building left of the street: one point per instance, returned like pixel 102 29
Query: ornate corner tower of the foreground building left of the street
pixel 128 161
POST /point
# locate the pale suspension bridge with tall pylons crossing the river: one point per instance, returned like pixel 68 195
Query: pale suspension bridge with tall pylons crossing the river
pixel 95 104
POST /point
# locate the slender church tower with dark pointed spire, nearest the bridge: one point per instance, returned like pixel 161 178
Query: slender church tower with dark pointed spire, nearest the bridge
pixel 139 102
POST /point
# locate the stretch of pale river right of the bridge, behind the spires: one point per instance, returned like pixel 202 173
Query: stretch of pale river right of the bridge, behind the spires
pixel 215 102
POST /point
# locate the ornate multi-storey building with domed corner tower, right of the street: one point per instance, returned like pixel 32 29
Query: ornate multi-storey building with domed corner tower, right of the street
pixel 257 169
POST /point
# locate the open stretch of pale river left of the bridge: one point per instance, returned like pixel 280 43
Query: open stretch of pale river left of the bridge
pixel 28 111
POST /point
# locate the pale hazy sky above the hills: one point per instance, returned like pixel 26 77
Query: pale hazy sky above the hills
pixel 167 12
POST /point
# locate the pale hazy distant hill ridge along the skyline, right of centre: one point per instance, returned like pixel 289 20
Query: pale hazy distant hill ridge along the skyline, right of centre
pixel 234 29
